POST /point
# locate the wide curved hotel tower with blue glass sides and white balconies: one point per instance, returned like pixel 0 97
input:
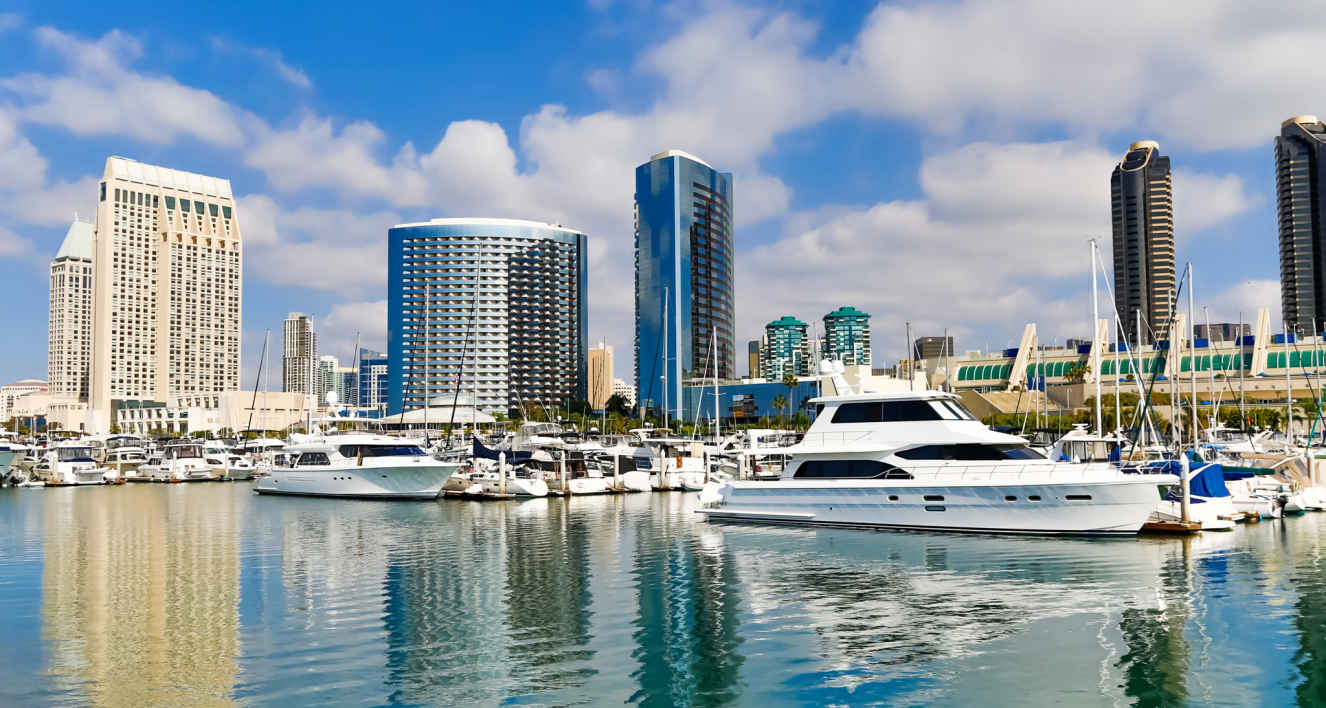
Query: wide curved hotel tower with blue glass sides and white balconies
pixel 499 303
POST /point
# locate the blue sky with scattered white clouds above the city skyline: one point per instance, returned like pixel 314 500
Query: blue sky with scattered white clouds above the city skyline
pixel 937 164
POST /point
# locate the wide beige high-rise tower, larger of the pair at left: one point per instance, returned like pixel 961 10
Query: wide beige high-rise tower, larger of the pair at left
pixel 169 287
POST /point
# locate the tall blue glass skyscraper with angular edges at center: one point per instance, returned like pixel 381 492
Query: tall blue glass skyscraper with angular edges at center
pixel 684 271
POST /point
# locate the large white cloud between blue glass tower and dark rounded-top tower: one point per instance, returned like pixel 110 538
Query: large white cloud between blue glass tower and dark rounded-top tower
pixel 999 239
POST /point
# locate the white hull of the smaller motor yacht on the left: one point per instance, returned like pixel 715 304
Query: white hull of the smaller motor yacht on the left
pixel 406 483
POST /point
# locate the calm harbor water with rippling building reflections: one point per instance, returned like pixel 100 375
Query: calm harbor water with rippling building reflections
pixel 208 595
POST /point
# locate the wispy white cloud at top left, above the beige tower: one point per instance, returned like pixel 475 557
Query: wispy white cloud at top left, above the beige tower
pixel 101 96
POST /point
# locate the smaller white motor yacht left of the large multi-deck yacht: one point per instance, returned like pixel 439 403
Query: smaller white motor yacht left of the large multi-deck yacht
pixel 357 466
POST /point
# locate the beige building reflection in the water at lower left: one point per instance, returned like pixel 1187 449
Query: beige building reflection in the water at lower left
pixel 140 595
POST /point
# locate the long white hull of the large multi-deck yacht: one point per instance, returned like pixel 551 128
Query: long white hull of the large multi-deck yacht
pixel 1088 508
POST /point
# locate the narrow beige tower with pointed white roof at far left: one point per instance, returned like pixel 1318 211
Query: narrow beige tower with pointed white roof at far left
pixel 70 353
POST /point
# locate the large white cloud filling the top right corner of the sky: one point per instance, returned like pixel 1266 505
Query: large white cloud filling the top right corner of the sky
pixel 1203 75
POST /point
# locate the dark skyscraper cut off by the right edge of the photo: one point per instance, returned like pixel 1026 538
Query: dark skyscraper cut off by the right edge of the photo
pixel 1301 200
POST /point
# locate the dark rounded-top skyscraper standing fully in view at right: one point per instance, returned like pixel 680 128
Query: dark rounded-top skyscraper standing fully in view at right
pixel 1142 209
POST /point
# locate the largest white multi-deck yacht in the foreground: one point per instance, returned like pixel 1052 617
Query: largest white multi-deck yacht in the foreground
pixel 922 461
